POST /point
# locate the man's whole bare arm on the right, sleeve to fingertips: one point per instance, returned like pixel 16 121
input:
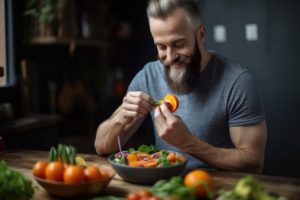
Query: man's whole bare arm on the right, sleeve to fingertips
pixel 249 142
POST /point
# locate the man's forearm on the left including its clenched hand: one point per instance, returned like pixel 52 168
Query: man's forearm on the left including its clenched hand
pixel 124 122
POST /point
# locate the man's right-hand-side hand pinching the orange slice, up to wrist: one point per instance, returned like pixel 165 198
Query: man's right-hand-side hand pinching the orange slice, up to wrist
pixel 171 128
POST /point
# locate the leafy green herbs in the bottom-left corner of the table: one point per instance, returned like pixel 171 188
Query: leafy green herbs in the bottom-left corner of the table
pixel 13 184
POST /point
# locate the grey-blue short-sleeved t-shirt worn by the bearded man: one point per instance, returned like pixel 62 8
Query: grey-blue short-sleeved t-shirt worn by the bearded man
pixel 225 96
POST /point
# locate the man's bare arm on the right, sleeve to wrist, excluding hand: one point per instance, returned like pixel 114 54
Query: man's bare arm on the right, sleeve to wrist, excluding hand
pixel 248 154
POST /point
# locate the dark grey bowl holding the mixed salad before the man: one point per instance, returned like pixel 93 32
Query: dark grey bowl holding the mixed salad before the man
pixel 144 175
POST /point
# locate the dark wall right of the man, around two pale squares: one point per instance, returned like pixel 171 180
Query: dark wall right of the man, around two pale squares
pixel 274 62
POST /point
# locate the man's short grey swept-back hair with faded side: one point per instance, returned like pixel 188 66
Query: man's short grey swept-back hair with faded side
pixel 161 9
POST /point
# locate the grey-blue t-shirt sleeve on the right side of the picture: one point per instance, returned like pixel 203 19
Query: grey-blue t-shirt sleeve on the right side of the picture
pixel 244 105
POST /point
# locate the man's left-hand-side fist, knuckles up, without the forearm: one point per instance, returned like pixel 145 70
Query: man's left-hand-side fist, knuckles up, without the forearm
pixel 135 105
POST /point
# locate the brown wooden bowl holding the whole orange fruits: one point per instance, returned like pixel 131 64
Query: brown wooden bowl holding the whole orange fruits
pixel 79 189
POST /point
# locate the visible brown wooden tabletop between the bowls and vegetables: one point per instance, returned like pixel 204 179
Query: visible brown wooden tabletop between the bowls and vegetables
pixel 23 160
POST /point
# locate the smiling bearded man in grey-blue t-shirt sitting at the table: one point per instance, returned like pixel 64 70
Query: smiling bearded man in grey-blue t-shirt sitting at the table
pixel 219 123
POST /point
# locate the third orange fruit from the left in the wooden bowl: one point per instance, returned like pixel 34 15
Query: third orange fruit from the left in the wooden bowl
pixel 74 174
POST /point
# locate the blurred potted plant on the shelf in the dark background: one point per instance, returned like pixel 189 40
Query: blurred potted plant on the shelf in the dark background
pixel 46 17
